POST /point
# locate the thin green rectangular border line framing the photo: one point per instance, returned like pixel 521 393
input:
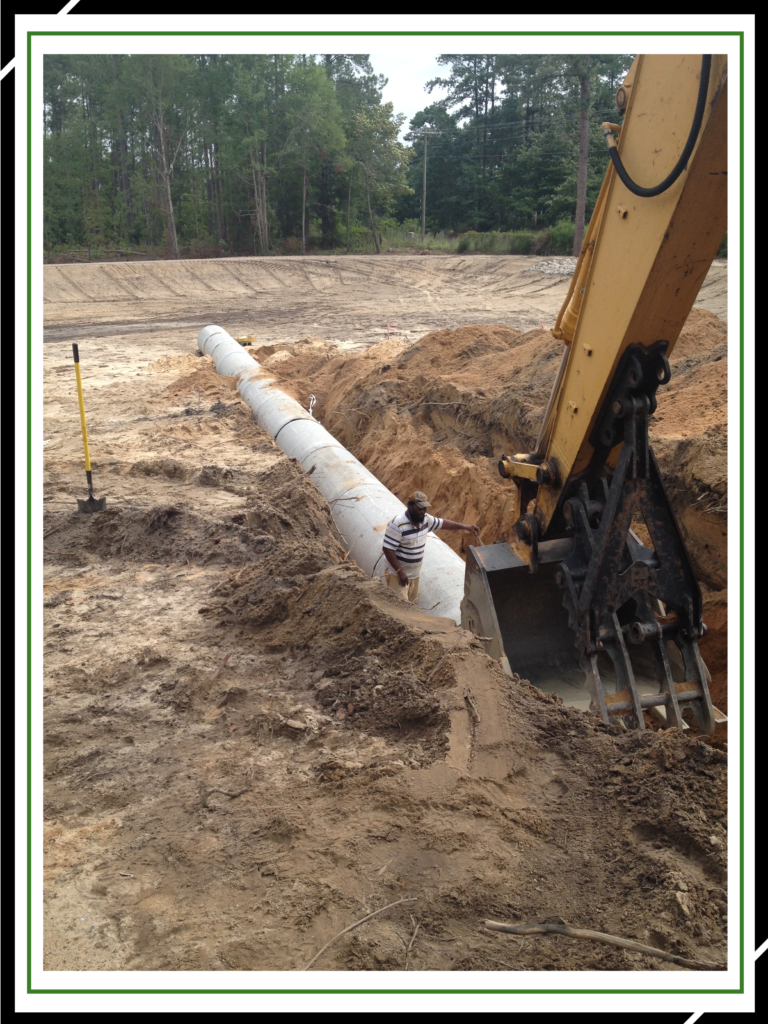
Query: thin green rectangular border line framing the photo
pixel 382 992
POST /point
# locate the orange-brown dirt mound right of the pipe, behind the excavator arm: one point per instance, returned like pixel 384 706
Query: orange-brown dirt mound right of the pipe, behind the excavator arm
pixel 438 415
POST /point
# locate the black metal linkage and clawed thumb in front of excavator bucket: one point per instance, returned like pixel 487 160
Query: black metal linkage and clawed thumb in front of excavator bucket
pixel 613 584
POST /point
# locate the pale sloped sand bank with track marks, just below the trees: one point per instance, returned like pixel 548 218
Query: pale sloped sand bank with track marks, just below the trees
pixel 343 298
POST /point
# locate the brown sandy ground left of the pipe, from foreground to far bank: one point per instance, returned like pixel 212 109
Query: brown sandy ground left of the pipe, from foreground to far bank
pixel 249 746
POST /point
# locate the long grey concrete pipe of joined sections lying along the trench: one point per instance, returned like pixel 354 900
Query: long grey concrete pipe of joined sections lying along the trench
pixel 361 505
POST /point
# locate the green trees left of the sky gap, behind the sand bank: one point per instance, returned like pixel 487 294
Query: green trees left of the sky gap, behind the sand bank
pixel 210 154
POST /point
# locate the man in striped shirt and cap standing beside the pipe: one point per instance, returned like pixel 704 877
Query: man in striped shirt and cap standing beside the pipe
pixel 404 544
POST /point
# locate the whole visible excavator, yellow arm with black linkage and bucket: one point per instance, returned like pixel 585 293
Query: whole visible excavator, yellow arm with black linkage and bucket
pixel 596 589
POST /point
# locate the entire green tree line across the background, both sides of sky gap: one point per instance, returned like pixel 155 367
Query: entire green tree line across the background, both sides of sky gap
pixel 258 154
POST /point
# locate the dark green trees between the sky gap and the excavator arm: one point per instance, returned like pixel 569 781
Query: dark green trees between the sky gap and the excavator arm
pixel 507 154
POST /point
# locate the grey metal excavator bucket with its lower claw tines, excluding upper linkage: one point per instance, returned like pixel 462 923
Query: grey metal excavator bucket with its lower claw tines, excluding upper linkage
pixel 525 625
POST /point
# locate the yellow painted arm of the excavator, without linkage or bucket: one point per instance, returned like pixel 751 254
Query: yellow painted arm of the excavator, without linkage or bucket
pixel 650 257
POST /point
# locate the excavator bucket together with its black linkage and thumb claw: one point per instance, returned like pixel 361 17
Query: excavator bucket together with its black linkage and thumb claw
pixel 591 600
